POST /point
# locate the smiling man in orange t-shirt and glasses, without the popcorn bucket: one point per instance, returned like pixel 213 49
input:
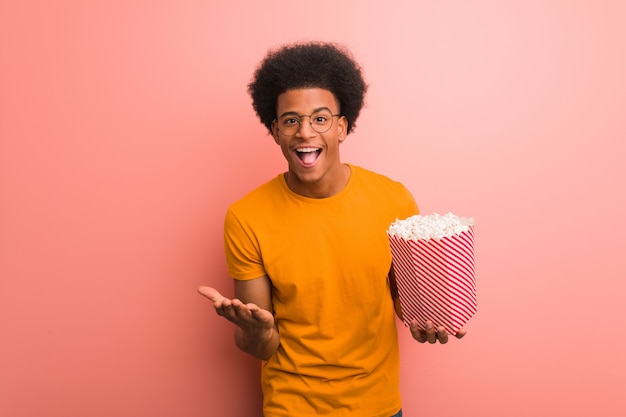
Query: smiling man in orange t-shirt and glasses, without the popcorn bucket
pixel 308 250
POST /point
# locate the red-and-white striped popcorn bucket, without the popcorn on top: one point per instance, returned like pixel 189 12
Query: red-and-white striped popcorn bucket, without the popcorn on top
pixel 436 279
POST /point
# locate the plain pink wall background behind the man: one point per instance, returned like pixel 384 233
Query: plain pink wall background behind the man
pixel 126 130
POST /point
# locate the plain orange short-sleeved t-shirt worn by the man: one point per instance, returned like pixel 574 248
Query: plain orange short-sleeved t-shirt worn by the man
pixel 328 261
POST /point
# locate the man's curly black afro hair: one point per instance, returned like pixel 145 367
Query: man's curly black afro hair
pixel 308 65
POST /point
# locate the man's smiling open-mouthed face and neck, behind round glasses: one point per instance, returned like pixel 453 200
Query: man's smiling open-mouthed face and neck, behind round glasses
pixel 315 169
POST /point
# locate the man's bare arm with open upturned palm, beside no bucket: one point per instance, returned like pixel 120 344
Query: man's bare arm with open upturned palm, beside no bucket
pixel 251 311
